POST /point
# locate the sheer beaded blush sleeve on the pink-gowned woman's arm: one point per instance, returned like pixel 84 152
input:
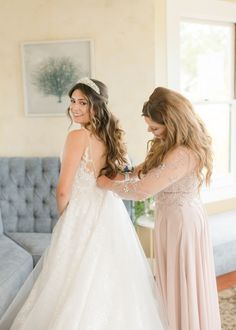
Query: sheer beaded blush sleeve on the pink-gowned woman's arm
pixel 176 165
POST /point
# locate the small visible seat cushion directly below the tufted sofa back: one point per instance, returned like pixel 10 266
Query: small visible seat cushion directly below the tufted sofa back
pixel 34 243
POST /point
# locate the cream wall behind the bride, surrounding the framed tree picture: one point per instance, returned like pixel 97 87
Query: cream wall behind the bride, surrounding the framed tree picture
pixel 123 34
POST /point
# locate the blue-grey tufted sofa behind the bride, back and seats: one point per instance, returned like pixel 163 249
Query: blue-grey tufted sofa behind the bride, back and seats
pixel 28 214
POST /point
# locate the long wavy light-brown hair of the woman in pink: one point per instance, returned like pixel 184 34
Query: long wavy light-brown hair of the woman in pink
pixel 183 128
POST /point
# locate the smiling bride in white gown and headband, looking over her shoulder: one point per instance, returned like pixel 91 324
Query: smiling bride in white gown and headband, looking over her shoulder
pixel 94 275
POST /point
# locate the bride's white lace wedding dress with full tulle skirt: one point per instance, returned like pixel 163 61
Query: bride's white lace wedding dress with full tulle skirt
pixel 94 275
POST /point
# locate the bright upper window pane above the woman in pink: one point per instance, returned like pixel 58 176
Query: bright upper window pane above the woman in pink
pixel 207 60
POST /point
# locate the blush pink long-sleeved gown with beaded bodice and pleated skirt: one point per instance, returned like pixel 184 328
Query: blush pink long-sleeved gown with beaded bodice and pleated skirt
pixel 184 258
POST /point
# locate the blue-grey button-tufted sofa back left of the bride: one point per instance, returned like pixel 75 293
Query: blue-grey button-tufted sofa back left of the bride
pixel 27 193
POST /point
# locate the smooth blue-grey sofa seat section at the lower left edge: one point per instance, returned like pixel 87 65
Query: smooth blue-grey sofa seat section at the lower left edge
pixel 15 266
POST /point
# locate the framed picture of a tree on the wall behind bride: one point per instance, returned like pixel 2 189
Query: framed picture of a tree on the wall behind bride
pixel 50 69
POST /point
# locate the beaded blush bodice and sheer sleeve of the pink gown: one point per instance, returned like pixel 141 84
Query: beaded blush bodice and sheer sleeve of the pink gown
pixel 171 182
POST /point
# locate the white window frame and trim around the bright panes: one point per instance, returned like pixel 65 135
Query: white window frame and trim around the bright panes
pixel 225 187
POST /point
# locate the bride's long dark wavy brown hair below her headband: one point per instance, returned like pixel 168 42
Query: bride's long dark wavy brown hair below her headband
pixel 105 126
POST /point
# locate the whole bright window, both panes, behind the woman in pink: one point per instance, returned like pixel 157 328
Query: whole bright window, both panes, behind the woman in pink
pixel 207 58
